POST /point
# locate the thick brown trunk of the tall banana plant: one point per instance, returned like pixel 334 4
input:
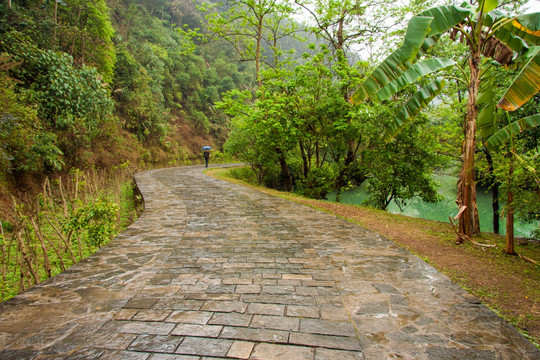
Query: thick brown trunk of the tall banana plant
pixel 469 223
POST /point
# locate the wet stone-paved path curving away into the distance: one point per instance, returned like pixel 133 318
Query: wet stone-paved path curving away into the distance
pixel 214 270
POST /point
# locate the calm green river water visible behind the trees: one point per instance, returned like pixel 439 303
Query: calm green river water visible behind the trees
pixel 446 207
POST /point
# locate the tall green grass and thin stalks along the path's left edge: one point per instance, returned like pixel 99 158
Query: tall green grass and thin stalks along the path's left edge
pixel 71 218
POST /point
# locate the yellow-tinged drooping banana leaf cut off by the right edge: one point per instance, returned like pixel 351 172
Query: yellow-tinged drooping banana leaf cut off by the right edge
pixel 525 85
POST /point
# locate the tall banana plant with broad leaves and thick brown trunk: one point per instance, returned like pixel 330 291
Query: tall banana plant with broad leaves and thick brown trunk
pixel 488 33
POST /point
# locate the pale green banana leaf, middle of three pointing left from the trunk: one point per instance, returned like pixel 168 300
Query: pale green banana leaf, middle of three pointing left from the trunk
pixel 412 74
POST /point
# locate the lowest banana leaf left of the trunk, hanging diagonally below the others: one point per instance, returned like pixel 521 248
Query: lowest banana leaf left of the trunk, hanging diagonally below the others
pixel 413 107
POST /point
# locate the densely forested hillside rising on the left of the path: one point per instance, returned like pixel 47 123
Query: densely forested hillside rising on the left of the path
pixel 93 84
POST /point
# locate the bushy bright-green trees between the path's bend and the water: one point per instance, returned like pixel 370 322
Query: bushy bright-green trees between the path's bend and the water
pixel 295 133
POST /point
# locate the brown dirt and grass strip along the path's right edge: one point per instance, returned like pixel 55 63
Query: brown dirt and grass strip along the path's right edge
pixel 507 284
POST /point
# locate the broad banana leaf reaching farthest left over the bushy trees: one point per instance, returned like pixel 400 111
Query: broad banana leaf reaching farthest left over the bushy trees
pixel 394 65
